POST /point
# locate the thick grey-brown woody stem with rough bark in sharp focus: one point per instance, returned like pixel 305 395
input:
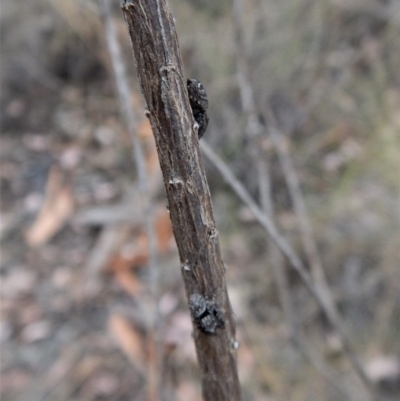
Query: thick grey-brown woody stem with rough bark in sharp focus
pixel 159 66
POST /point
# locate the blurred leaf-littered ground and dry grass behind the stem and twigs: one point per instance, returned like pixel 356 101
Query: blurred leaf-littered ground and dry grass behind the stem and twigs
pixel 75 284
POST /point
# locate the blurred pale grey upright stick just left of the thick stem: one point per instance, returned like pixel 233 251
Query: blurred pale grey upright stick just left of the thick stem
pixel 121 80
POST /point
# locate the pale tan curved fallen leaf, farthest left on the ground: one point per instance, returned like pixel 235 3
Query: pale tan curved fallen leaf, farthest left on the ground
pixel 57 208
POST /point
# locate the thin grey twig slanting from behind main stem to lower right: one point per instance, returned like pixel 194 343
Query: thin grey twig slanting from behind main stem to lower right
pixel 289 253
